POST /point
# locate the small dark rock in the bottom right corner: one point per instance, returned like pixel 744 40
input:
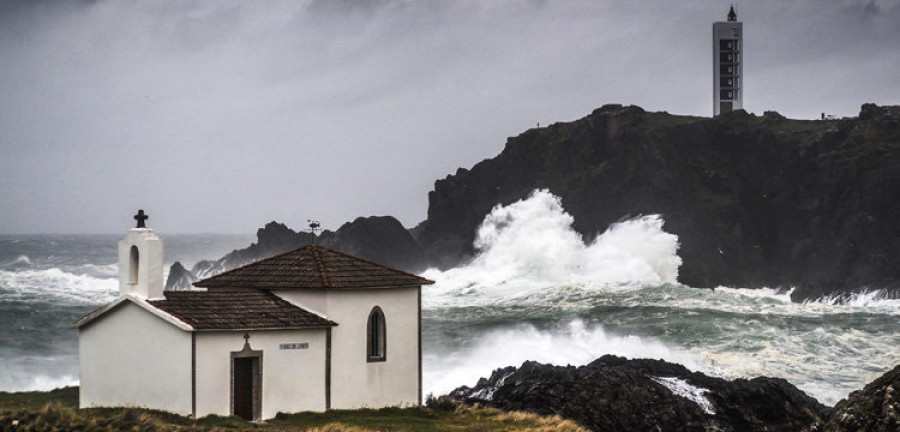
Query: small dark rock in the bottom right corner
pixel 875 408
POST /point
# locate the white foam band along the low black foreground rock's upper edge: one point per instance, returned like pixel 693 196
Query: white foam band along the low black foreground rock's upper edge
pixel 575 344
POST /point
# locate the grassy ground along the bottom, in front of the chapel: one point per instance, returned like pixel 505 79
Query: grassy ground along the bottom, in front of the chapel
pixel 57 411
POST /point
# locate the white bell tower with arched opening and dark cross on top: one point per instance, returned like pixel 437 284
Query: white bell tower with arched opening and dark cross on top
pixel 141 261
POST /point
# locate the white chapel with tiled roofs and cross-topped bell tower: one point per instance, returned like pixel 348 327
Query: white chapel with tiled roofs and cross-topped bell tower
pixel 307 330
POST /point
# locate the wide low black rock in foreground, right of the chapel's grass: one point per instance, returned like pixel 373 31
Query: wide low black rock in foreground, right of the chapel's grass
pixel 613 393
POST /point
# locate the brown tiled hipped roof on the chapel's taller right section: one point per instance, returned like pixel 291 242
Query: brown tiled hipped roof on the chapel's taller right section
pixel 313 267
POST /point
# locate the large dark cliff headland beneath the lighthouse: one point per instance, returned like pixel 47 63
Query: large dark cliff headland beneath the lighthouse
pixel 755 200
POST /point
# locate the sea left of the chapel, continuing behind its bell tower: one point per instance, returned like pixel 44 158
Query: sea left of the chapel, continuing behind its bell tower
pixel 49 281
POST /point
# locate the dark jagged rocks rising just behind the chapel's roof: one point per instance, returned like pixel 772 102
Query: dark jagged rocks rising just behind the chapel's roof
pixel 381 239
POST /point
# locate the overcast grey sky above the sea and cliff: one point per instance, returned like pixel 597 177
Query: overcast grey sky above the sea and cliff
pixel 219 116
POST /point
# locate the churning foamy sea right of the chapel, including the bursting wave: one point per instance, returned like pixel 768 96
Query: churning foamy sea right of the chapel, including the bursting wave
pixel 532 265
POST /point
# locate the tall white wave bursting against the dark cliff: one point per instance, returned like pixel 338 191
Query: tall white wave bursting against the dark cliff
pixel 530 246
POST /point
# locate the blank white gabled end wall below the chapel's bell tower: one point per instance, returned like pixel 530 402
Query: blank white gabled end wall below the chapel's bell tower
pixel 133 358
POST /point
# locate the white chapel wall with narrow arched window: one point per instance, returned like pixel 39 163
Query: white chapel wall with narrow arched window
pixel 357 383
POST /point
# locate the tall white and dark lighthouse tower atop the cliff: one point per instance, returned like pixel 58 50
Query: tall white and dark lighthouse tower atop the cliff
pixel 728 92
